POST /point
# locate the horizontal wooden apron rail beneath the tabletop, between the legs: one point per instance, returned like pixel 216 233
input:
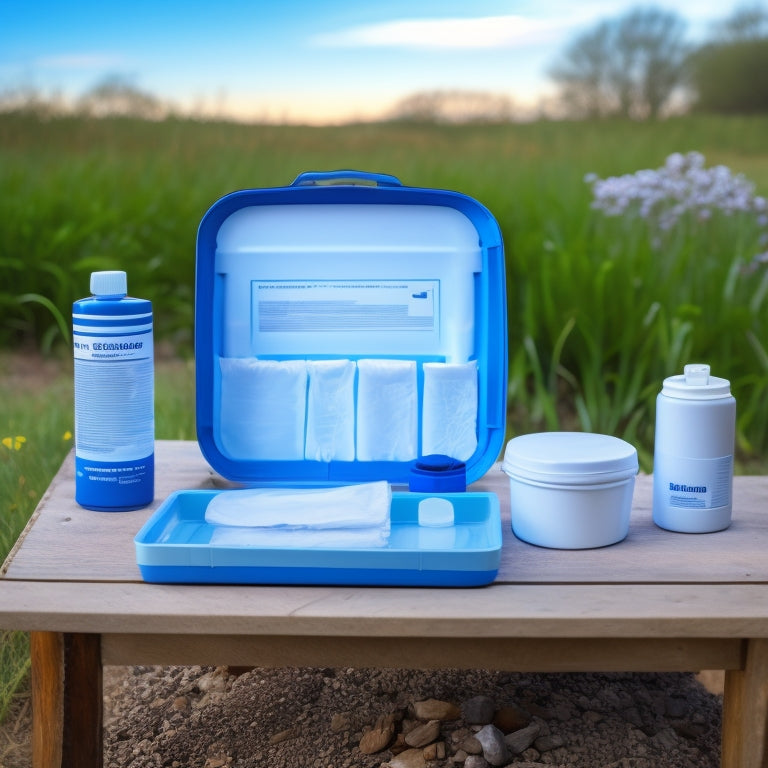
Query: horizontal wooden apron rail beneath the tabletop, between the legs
pixel 515 654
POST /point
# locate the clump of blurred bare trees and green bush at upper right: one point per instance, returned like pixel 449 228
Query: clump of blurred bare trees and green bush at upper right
pixel 639 65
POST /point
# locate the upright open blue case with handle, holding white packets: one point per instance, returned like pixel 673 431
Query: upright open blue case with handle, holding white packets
pixel 345 326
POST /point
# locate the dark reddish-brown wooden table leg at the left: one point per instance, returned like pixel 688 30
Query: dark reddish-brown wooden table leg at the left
pixel 67 701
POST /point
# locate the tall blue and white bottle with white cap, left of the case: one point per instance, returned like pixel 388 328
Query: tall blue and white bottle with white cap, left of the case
pixel 114 397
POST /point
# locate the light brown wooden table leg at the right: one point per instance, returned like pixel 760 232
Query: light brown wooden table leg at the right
pixel 745 710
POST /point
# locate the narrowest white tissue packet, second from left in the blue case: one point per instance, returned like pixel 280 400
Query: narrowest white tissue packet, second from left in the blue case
pixel 331 410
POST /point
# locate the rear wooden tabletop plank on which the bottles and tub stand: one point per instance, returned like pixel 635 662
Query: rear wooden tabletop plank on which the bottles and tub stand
pixel 103 542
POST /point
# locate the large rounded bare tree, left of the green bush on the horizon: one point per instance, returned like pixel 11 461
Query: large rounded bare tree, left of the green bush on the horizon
pixel 628 66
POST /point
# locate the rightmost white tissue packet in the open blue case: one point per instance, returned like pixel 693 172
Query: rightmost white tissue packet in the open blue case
pixel 449 413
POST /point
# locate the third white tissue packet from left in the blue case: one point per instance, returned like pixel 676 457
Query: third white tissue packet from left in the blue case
pixel 387 410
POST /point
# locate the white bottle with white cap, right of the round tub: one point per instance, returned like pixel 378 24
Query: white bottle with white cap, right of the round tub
pixel 693 453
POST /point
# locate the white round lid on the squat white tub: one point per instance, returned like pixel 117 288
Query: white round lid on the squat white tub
pixel 569 458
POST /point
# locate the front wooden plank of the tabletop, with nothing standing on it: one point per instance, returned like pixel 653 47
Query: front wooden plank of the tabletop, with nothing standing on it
pixel 562 610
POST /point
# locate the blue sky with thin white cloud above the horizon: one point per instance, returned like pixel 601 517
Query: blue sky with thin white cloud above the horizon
pixel 314 61
